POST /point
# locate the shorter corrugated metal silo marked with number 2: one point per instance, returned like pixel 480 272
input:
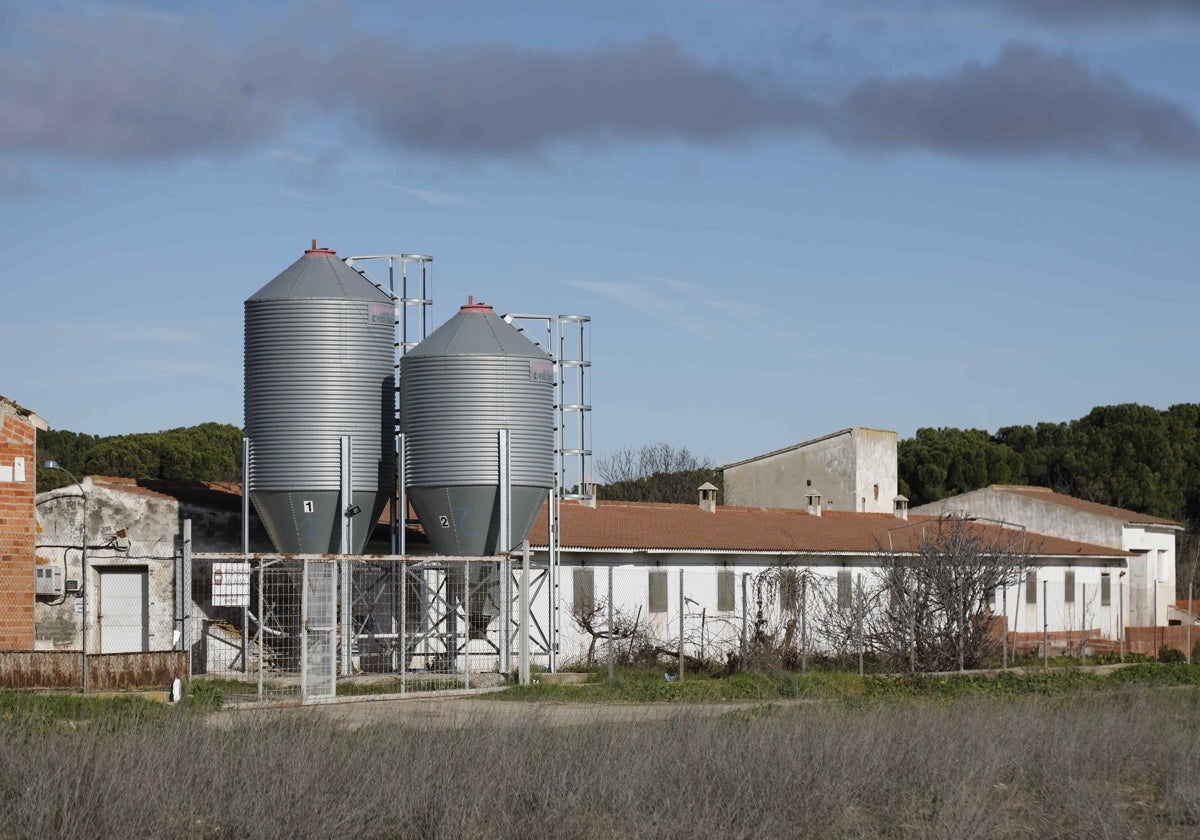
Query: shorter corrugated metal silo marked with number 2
pixel 472 377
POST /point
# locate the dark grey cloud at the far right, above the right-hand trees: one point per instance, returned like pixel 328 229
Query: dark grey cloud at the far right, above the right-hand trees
pixel 1027 103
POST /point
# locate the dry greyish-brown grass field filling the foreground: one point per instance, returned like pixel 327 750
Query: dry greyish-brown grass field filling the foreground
pixel 1123 764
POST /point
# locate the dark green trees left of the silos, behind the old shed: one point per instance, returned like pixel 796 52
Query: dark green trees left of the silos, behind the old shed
pixel 209 452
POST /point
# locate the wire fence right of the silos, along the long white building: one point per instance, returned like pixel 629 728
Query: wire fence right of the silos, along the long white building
pixel 800 617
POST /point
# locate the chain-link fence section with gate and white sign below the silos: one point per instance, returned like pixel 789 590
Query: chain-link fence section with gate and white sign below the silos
pixel 321 627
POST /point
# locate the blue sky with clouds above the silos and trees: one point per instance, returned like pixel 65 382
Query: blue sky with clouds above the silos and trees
pixel 784 218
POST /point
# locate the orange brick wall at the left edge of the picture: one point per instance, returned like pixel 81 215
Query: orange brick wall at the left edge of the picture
pixel 17 532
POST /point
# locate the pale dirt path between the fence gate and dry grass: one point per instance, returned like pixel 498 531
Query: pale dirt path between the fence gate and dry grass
pixel 443 713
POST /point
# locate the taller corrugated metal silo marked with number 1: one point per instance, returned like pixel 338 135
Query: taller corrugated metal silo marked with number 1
pixel 320 367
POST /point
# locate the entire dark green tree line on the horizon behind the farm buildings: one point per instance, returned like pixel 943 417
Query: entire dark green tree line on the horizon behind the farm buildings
pixel 1131 457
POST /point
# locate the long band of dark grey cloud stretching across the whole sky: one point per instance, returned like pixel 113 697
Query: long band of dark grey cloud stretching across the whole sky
pixel 142 89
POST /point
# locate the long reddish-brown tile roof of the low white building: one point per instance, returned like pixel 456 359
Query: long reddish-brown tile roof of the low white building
pixel 667 527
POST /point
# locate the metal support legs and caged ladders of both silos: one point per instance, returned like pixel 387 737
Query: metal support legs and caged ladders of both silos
pixel 407 280
